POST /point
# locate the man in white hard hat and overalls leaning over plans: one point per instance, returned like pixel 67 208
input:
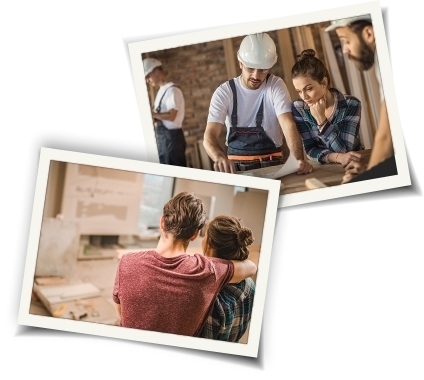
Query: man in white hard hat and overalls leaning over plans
pixel 255 108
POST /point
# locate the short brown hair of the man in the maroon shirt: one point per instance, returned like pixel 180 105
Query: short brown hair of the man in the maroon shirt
pixel 184 215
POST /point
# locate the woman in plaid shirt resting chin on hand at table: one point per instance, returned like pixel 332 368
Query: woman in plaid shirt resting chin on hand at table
pixel 327 120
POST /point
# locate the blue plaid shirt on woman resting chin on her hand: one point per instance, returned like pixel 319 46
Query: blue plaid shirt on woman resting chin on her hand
pixel 340 133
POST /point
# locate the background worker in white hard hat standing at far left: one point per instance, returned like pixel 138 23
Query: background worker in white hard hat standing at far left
pixel 168 115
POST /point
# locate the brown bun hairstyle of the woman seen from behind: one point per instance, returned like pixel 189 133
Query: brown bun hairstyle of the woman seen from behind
pixel 229 238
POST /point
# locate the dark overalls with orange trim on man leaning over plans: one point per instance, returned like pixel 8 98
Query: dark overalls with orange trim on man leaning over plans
pixel 251 141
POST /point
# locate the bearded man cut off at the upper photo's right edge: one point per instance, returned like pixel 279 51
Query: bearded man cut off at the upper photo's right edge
pixel 357 37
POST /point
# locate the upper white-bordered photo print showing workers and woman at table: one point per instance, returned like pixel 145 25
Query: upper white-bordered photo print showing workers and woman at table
pixel 308 101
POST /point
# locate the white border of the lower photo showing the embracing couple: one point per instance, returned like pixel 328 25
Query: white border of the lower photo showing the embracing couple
pixel 249 349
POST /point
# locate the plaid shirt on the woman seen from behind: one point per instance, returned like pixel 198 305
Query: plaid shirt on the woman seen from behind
pixel 231 312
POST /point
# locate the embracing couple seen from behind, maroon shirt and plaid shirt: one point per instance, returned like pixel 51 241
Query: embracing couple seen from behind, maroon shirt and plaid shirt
pixel 207 295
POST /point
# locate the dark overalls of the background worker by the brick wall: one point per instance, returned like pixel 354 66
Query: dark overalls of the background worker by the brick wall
pixel 171 142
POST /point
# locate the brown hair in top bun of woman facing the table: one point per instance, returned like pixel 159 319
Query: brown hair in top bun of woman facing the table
pixel 308 65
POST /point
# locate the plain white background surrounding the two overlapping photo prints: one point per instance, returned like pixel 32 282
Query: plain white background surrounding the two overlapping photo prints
pixel 345 290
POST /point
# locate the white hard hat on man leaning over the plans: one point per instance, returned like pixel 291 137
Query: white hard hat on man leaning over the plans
pixel 258 51
